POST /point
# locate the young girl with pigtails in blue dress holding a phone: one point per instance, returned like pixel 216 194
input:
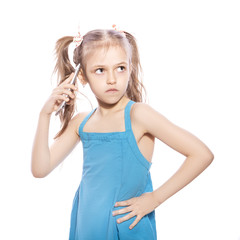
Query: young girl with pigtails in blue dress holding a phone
pixel 115 199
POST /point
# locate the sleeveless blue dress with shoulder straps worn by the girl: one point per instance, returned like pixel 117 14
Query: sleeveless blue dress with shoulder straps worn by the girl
pixel 114 170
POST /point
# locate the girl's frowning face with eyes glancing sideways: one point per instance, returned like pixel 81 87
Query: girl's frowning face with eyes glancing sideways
pixel 108 69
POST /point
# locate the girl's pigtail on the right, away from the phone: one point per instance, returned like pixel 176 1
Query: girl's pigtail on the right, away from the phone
pixel 135 88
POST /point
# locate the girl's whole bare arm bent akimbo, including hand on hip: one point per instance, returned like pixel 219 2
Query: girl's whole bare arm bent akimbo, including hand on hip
pixel 198 157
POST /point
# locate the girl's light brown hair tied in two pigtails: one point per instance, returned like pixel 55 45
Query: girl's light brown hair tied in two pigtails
pixel 92 40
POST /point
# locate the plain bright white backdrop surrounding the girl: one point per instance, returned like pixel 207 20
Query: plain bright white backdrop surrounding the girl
pixel 190 56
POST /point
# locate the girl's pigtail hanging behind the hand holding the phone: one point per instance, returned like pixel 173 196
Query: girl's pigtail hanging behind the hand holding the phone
pixel 64 68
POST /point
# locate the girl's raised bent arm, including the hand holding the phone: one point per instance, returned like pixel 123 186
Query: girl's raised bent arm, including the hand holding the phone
pixel 45 159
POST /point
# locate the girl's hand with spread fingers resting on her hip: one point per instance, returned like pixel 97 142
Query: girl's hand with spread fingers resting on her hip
pixel 137 206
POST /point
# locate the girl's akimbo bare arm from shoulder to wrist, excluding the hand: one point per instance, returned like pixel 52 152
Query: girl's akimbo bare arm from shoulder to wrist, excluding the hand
pixel 198 155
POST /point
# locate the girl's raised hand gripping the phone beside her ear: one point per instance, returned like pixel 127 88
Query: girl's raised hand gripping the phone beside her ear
pixel 58 96
